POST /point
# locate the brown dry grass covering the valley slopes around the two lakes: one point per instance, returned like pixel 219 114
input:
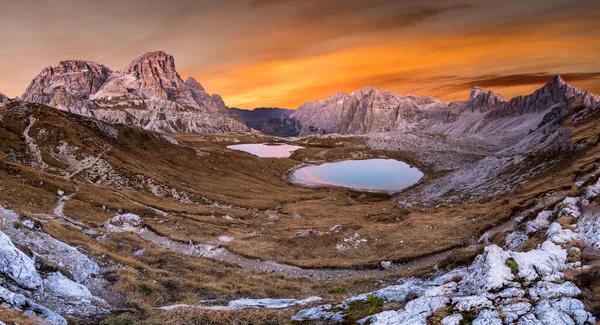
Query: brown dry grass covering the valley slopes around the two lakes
pixel 255 193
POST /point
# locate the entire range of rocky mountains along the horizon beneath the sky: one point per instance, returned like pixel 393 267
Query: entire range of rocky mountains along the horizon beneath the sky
pixel 150 93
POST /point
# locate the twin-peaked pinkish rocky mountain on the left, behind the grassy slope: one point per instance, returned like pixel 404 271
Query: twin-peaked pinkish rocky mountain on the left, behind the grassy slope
pixel 148 93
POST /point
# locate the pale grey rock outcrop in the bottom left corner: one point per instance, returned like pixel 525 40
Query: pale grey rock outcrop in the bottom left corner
pixel 43 277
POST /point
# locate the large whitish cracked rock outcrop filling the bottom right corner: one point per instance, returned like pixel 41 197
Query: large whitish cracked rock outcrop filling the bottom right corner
pixel 502 286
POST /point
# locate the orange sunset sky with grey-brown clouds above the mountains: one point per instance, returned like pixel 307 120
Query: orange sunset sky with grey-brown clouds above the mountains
pixel 283 53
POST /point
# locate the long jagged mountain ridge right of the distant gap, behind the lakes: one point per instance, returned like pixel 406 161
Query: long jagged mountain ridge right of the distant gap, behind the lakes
pixel 370 110
